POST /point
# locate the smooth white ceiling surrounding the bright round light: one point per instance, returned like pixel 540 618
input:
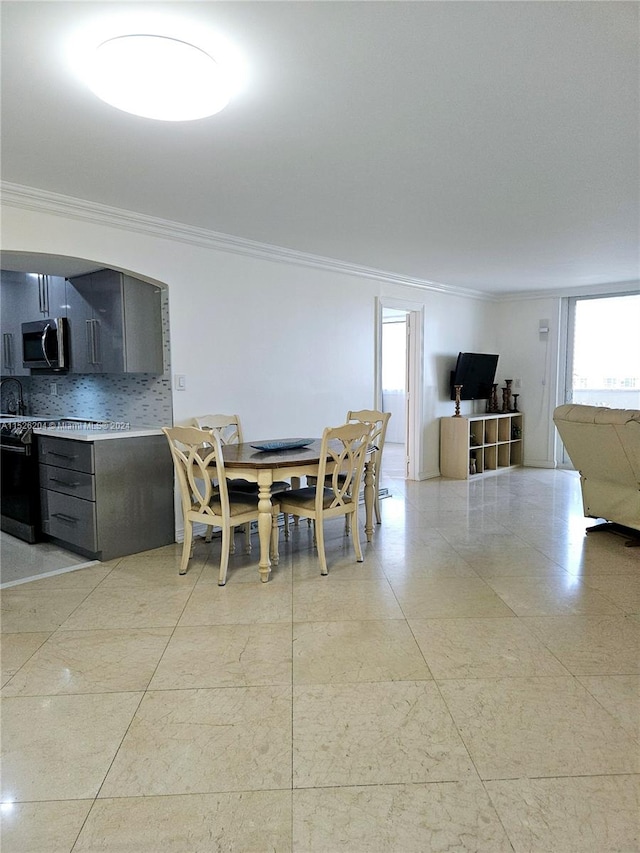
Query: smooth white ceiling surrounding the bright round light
pixel 484 145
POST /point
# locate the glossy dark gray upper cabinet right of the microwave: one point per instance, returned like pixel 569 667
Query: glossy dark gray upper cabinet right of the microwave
pixel 115 324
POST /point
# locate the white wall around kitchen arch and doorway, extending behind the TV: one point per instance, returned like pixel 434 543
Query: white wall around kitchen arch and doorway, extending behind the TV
pixel 288 347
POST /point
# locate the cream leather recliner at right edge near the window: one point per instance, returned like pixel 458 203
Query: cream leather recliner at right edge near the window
pixel 604 446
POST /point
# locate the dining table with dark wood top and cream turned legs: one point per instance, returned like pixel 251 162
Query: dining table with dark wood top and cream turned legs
pixel 266 466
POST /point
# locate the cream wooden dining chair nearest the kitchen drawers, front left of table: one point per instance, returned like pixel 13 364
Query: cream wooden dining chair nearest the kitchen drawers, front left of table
pixel 199 465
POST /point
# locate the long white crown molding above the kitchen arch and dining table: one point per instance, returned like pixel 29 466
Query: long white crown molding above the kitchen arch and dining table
pixel 32 198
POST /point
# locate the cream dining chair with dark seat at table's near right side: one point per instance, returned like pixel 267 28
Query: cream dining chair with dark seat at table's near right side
pixel 342 455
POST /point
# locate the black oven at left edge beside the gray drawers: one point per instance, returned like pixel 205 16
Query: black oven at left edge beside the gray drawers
pixel 20 496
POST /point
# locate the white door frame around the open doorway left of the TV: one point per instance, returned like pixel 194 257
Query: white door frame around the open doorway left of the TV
pixel 415 330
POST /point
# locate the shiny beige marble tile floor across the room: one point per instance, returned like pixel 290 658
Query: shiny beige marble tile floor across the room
pixel 474 685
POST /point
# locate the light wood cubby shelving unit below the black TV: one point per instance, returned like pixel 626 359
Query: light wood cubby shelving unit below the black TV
pixel 492 441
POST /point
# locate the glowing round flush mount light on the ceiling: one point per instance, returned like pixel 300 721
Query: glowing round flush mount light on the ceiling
pixel 158 77
